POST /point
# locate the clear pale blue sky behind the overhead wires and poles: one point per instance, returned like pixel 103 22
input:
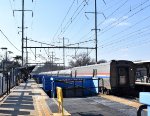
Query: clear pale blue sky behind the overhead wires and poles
pixel 123 28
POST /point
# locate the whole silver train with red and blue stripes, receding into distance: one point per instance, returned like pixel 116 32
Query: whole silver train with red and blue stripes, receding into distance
pixel 117 75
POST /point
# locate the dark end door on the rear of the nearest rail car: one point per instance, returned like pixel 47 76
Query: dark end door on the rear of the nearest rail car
pixel 123 76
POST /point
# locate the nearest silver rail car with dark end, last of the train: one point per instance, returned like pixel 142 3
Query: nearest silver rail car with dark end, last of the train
pixel 117 75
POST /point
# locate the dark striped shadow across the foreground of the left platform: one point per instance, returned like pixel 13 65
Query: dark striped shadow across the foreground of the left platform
pixel 20 103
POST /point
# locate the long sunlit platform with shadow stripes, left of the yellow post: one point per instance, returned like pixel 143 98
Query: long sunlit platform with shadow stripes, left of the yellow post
pixel 26 99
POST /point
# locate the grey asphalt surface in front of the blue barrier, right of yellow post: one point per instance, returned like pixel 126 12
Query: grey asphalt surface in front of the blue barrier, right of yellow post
pixel 98 106
